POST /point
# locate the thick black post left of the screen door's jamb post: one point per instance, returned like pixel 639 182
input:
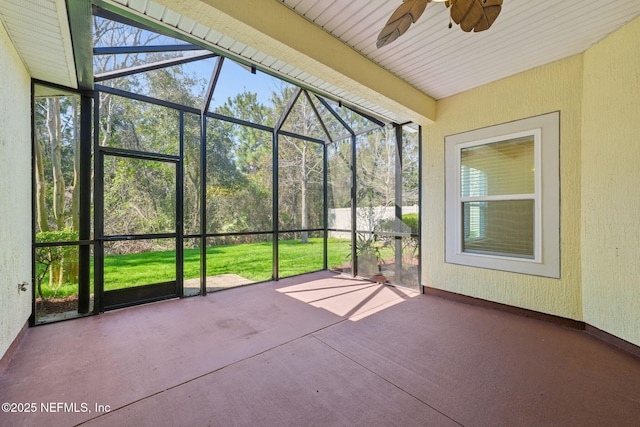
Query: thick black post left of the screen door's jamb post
pixel 84 232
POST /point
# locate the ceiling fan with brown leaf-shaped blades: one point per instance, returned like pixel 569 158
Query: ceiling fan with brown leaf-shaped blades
pixel 476 15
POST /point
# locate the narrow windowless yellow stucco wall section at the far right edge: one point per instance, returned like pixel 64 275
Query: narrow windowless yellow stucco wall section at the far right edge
pixel 610 184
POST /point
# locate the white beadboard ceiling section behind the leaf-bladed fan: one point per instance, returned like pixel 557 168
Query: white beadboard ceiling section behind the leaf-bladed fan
pixel 442 62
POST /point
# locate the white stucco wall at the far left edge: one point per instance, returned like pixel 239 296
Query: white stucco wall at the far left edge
pixel 15 190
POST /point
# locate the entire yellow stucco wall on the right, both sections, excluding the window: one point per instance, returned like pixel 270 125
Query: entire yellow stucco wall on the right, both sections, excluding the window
pixel 598 95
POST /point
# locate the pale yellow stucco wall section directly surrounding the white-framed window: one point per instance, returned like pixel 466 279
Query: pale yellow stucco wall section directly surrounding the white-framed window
pixel 553 87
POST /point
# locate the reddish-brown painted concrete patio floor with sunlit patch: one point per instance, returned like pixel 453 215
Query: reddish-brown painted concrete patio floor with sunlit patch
pixel 317 349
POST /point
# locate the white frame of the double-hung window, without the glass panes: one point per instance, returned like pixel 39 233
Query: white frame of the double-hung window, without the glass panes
pixel 545 130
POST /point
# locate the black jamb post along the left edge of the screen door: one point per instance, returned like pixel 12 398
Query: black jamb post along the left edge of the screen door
pixel 98 211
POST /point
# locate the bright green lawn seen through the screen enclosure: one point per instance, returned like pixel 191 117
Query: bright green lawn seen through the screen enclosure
pixel 251 260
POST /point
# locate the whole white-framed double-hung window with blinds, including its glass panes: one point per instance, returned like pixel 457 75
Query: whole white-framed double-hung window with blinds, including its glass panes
pixel 503 197
